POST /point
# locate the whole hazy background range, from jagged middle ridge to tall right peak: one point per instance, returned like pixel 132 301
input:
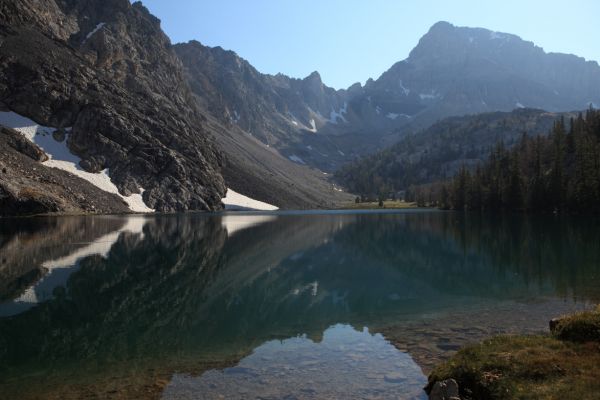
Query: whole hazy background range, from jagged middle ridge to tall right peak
pixel 453 71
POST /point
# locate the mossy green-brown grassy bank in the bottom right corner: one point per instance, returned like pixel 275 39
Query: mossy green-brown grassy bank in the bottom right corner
pixel 563 365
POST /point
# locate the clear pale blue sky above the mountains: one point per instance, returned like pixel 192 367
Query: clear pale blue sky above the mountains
pixel 350 41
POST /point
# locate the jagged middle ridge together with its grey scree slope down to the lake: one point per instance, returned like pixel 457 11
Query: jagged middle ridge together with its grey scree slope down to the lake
pixel 251 117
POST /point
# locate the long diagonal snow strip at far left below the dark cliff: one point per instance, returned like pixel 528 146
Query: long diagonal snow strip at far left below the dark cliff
pixel 59 156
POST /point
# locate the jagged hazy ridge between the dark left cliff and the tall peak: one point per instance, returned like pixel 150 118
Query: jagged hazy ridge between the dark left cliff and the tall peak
pixel 272 108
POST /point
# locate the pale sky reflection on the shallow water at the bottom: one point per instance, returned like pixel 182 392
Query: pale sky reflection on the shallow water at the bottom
pixel 345 364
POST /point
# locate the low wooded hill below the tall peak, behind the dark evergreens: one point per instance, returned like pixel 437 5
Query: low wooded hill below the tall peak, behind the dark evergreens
pixel 438 152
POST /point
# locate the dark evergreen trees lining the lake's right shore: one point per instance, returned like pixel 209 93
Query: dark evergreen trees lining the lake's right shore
pixel 555 173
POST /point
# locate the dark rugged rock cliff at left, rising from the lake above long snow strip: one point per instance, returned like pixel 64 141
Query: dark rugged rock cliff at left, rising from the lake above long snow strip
pixel 107 70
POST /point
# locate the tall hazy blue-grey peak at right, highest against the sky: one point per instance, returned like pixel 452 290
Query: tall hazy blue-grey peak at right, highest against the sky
pixel 458 71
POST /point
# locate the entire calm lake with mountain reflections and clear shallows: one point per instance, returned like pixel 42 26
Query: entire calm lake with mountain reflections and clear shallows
pixel 273 305
